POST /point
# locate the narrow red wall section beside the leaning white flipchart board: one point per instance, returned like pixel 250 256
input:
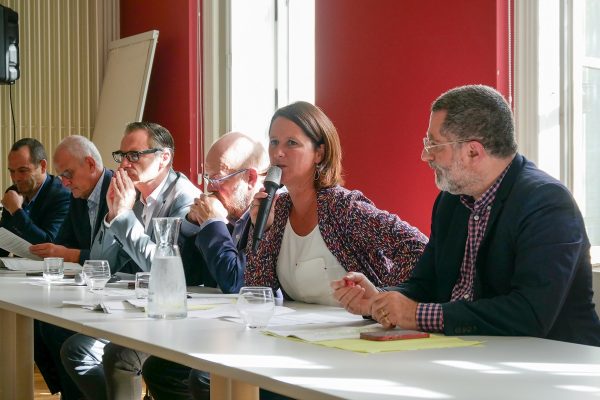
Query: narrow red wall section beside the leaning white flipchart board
pixel 173 94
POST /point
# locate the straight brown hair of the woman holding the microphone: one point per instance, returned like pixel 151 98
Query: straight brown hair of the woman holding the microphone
pixel 321 131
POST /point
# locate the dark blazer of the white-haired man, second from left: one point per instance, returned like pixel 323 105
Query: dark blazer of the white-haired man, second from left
pixel 76 232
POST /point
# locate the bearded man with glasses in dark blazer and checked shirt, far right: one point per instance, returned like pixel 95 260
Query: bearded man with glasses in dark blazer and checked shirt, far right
pixel 508 252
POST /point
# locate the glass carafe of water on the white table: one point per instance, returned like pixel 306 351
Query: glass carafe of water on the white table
pixel 167 289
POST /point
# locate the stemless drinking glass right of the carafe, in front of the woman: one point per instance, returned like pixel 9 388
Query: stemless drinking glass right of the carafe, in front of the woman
pixel 255 305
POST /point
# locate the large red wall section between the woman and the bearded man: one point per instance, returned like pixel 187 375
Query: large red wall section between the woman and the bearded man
pixel 379 66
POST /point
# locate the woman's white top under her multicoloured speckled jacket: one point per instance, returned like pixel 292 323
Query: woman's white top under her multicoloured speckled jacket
pixel 306 266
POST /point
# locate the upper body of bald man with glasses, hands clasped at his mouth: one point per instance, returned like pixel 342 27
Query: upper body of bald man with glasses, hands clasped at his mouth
pixel 218 221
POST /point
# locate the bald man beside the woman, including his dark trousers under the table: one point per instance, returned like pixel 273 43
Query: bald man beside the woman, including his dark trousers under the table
pixel 219 221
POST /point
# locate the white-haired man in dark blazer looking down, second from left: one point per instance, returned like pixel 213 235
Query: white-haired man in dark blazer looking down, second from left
pixel 79 165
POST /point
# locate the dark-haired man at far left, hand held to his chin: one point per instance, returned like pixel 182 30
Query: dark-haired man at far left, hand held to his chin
pixel 37 203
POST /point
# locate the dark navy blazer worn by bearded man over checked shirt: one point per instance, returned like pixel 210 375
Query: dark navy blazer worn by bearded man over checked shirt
pixel 533 273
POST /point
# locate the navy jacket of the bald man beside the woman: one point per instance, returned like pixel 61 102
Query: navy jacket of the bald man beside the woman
pixel 211 257
